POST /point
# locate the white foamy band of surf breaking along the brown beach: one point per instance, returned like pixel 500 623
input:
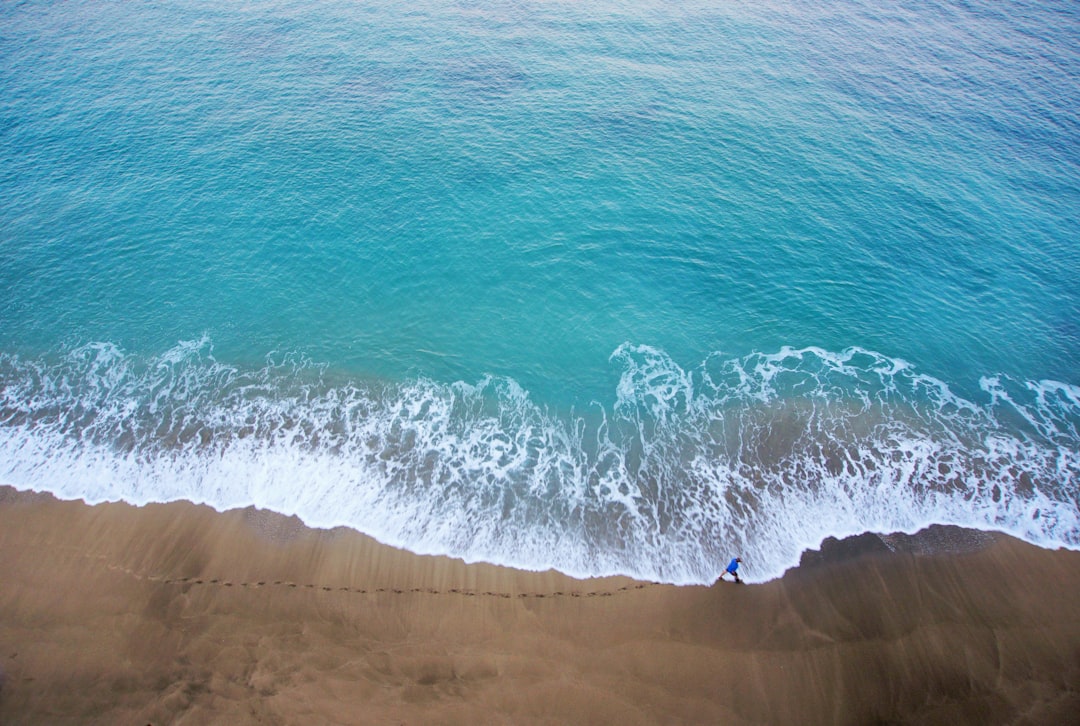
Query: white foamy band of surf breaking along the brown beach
pixel 764 455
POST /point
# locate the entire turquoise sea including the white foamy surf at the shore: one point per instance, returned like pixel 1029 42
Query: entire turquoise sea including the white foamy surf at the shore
pixel 602 287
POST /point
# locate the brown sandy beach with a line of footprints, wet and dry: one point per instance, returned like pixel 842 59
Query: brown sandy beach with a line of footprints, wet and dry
pixel 175 614
